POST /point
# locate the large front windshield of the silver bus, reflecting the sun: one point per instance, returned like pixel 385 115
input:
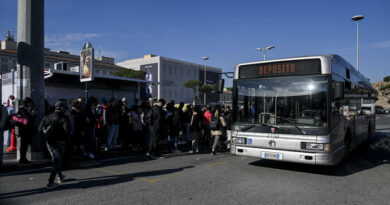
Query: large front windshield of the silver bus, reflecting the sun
pixel 285 102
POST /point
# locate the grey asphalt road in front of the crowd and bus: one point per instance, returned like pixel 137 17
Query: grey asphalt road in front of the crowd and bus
pixel 204 179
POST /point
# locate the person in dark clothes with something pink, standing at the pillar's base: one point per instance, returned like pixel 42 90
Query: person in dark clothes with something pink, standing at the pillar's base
pixel 26 129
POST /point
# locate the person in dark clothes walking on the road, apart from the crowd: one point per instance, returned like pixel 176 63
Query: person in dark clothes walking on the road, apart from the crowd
pixel 55 128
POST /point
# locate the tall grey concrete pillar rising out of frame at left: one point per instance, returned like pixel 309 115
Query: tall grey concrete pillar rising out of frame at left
pixel 30 64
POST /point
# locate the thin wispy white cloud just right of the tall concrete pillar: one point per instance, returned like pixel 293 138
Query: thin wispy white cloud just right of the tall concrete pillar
pixel 69 41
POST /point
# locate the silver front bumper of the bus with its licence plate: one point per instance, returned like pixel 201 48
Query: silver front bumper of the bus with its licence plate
pixel 282 155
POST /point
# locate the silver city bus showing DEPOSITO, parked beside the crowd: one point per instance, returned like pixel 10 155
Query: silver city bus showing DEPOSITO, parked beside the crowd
pixel 312 110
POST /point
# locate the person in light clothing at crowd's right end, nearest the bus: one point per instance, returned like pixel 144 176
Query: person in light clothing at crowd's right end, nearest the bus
pixel 217 126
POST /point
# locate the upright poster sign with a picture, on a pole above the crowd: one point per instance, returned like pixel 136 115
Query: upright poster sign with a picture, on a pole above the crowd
pixel 87 65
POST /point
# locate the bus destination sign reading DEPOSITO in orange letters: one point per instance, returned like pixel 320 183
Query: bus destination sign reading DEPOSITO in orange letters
pixel 282 68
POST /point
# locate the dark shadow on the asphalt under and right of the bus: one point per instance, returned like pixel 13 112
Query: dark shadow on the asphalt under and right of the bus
pixel 367 156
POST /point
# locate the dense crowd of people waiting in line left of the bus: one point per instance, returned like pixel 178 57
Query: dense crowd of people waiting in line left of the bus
pixel 112 126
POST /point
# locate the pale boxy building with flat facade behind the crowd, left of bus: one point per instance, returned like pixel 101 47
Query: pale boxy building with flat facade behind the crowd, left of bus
pixel 172 74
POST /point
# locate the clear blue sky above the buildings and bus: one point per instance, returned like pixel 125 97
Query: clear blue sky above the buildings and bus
pixel 226 31
